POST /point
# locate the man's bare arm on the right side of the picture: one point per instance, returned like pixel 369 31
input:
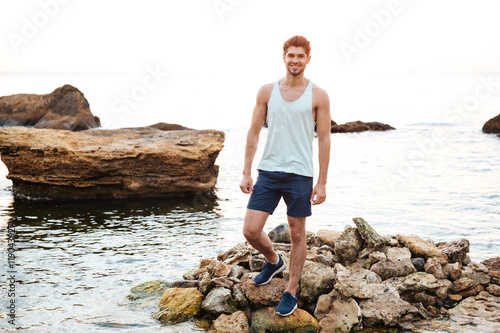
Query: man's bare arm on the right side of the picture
pixel 323 128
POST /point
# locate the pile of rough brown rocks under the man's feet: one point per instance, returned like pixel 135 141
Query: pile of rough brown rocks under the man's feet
pixel 351 279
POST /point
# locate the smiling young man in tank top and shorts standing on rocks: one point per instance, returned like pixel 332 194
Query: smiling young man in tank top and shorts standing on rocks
pixel 292 106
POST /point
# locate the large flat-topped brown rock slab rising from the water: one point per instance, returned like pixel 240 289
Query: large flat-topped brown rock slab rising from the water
pixel 101 164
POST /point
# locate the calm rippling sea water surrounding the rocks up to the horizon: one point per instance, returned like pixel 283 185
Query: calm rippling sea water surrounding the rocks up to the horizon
pixel 436 176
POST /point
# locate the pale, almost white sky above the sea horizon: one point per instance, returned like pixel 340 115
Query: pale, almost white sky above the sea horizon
pixel 243 36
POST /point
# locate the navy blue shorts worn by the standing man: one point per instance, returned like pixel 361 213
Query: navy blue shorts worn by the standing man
pixel 270 186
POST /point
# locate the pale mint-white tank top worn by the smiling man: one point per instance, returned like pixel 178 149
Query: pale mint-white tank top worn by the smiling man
pixel 290 134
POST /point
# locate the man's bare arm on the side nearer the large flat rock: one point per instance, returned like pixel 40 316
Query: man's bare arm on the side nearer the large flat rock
pixel 258 117
